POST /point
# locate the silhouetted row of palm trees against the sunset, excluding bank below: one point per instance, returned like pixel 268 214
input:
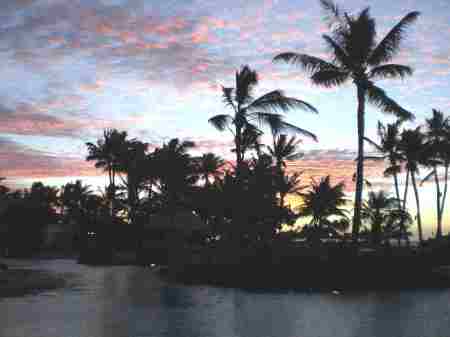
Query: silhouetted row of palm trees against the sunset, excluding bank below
pixel 245 199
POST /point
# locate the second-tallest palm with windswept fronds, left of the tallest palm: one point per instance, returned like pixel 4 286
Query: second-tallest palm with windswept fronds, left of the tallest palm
pixel 249 113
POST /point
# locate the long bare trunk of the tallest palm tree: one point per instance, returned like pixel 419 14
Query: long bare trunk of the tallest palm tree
pixel 360 164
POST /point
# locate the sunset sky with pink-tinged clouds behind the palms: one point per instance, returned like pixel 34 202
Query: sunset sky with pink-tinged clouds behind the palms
pixel 154 68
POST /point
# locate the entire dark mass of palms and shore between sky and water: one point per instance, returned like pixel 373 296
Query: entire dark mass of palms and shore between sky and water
pixel 208 220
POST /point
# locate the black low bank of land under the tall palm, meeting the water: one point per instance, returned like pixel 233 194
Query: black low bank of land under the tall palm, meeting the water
pixel 334 269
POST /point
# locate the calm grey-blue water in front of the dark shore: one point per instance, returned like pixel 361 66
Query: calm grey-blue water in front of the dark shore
pixel 135 302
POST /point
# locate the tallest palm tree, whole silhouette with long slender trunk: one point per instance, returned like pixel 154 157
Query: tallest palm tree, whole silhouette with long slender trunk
pixel 357 57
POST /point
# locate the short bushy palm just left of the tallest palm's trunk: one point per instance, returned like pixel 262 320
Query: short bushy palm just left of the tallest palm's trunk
pixel 321 203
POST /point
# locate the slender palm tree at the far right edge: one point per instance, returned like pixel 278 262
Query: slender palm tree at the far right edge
pixel 437 144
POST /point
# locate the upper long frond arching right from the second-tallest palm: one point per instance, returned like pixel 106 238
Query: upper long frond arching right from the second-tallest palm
pixel 275 100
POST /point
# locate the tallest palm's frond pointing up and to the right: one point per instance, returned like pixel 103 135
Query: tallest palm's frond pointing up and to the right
pixel 389 46
